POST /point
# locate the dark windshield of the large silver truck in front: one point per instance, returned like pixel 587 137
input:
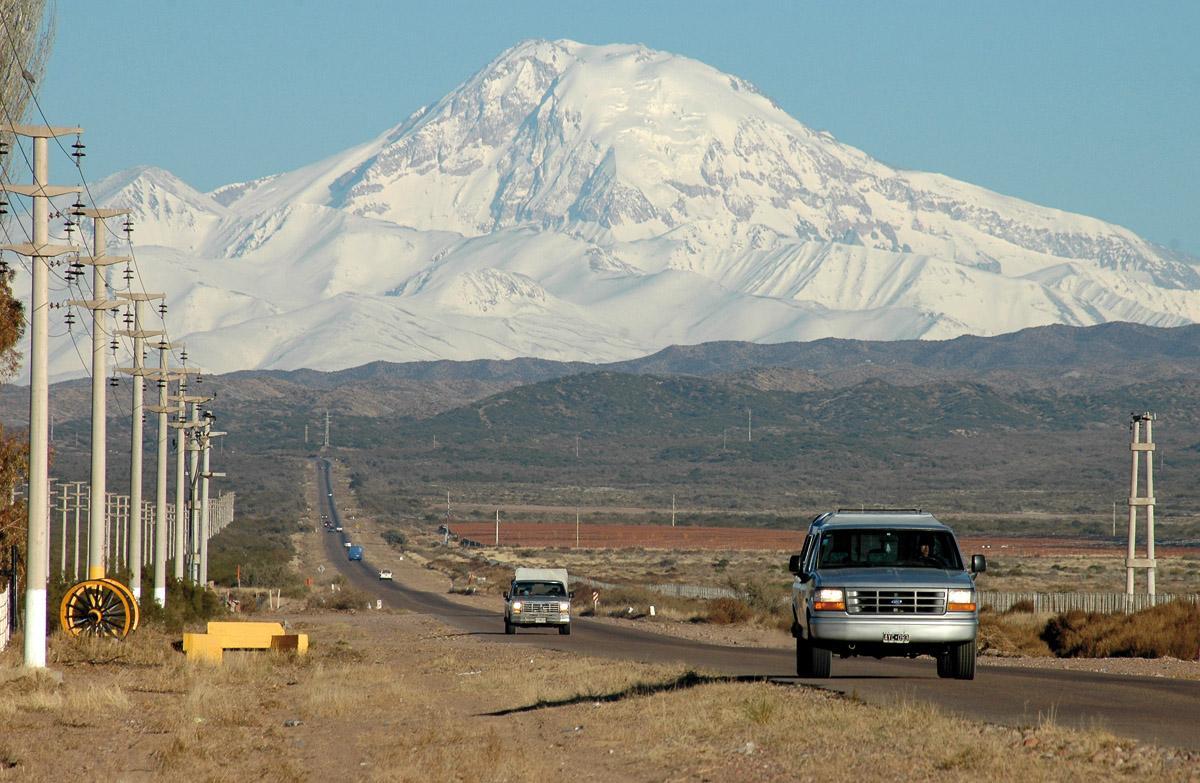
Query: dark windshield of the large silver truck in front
pixel 881 548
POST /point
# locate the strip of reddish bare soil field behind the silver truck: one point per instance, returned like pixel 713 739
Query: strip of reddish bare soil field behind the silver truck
pixel 544 535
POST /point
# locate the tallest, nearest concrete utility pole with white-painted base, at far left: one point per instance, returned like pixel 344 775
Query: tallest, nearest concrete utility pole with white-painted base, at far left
pixel 40 252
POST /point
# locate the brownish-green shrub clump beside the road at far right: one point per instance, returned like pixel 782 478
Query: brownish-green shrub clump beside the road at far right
pixel 1171 630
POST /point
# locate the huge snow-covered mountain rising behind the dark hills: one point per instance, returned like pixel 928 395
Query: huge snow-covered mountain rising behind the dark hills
pixel 602 202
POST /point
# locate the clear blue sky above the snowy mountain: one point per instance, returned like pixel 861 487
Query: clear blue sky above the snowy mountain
pixel 1090 107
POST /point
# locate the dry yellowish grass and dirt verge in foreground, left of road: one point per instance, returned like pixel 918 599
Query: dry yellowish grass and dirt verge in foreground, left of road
pixel 400 698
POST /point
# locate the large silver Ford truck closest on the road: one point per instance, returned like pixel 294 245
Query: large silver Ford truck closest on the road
pixel 884 583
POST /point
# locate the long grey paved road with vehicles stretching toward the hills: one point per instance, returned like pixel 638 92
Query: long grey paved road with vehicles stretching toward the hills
pixel 1150 709
